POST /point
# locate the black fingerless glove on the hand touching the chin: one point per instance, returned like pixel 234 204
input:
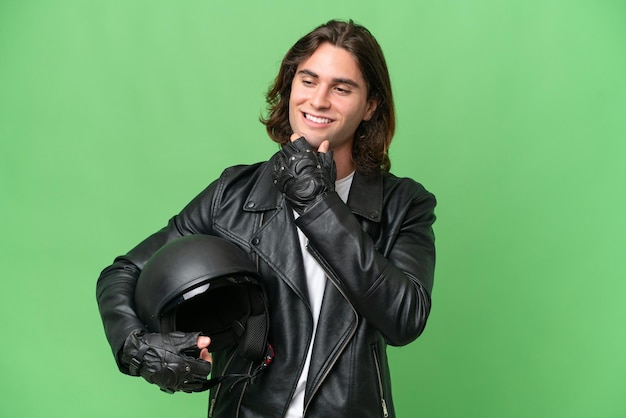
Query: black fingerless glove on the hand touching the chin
pixel 303 175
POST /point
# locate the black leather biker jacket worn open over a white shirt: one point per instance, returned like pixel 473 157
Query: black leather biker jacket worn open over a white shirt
pixel 378 252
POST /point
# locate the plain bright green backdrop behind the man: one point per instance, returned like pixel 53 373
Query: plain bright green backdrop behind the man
pixel 114 114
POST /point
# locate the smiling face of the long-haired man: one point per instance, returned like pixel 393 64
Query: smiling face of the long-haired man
pixel 329 99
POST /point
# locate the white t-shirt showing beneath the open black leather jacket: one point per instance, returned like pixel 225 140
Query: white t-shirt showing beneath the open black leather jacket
pixel 316 282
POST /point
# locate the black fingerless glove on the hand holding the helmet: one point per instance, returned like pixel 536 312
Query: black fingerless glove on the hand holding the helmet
pixel 167 360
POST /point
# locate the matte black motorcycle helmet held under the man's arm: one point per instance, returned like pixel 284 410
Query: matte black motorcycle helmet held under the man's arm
pixel 202 283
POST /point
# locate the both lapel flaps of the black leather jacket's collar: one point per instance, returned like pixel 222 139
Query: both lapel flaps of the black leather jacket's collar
pixel 365 198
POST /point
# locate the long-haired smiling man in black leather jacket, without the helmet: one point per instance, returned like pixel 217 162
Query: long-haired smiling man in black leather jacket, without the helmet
pixel 345 249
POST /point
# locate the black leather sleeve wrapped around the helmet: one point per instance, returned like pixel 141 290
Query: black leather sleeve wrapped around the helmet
pixel 115 288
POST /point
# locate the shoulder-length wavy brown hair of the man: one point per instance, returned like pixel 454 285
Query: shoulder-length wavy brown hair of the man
pixel 372 137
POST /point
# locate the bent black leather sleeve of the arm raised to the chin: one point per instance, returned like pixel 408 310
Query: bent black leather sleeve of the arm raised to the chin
pixel 388 281
